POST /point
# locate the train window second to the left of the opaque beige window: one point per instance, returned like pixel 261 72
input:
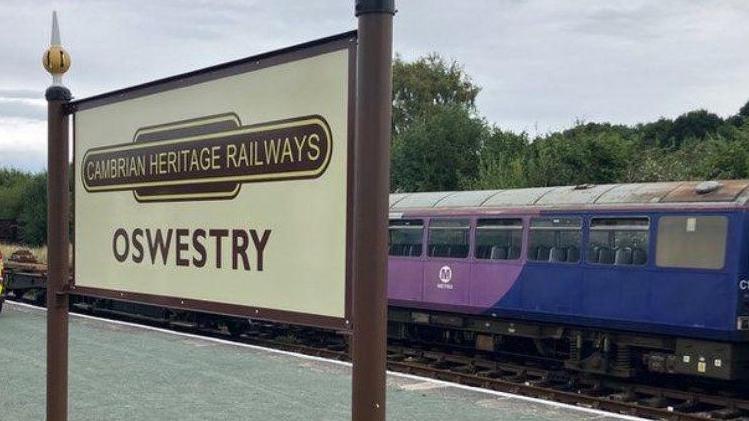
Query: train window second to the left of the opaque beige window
pixel 555 240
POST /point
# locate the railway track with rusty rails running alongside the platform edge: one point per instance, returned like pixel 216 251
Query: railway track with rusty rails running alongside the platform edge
pixel 532 380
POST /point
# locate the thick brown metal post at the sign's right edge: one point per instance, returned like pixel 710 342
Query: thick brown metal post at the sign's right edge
pixel 372 143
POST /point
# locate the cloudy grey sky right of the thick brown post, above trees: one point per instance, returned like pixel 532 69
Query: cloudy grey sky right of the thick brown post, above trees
pixel 543 64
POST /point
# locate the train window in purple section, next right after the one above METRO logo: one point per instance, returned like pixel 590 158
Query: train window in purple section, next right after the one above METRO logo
pixel 499 239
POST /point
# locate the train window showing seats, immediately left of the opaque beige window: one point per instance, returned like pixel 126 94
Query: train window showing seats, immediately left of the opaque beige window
pixel 618 241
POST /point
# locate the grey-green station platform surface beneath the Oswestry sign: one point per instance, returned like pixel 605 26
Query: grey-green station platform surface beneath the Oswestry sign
pixel 121 371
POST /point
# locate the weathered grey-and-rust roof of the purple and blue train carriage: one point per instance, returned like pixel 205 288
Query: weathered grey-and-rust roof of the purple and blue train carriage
pixel 681 193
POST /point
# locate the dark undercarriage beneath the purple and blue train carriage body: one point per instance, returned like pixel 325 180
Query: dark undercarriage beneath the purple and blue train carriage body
pixel 589 350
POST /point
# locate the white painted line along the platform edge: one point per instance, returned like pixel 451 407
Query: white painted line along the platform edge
pixel 347 364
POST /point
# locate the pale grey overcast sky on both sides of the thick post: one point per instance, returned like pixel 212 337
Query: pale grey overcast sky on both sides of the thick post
pixel 542 64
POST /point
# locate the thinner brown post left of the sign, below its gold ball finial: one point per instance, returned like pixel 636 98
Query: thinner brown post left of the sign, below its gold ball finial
pixel 57 253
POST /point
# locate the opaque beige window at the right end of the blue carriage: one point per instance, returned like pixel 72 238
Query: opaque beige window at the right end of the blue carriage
pixel 697 242
